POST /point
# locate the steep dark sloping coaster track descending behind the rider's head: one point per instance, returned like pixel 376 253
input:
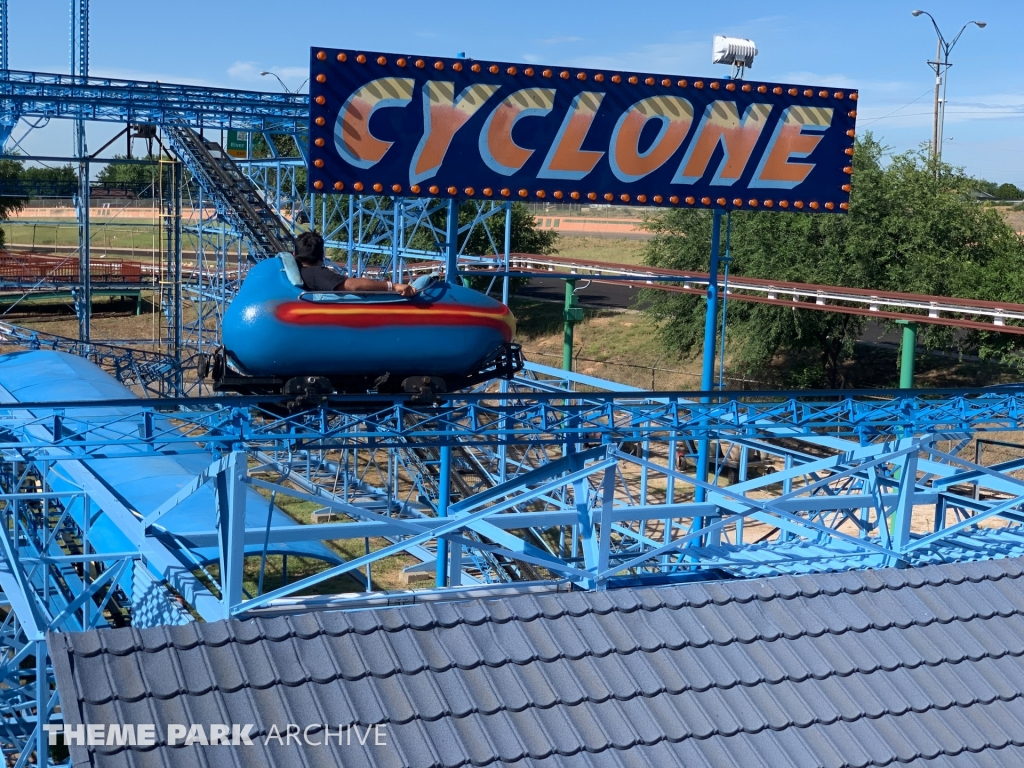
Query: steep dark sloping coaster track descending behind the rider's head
pixel 237 199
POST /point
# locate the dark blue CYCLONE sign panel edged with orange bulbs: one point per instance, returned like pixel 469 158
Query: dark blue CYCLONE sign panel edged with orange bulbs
pixel 393 124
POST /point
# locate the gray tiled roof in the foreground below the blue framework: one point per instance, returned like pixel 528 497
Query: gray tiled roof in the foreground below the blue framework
pixel 921 666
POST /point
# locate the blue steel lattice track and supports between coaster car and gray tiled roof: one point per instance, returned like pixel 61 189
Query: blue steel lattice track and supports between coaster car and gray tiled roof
pixel 550 489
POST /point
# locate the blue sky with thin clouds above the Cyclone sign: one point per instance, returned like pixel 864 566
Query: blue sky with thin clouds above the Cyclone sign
pixel 874 46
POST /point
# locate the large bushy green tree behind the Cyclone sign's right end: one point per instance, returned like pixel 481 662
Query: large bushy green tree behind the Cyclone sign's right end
pixel 912 228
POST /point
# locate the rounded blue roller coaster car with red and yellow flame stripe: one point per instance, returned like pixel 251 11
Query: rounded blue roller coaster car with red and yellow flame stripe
pixel 281 339
